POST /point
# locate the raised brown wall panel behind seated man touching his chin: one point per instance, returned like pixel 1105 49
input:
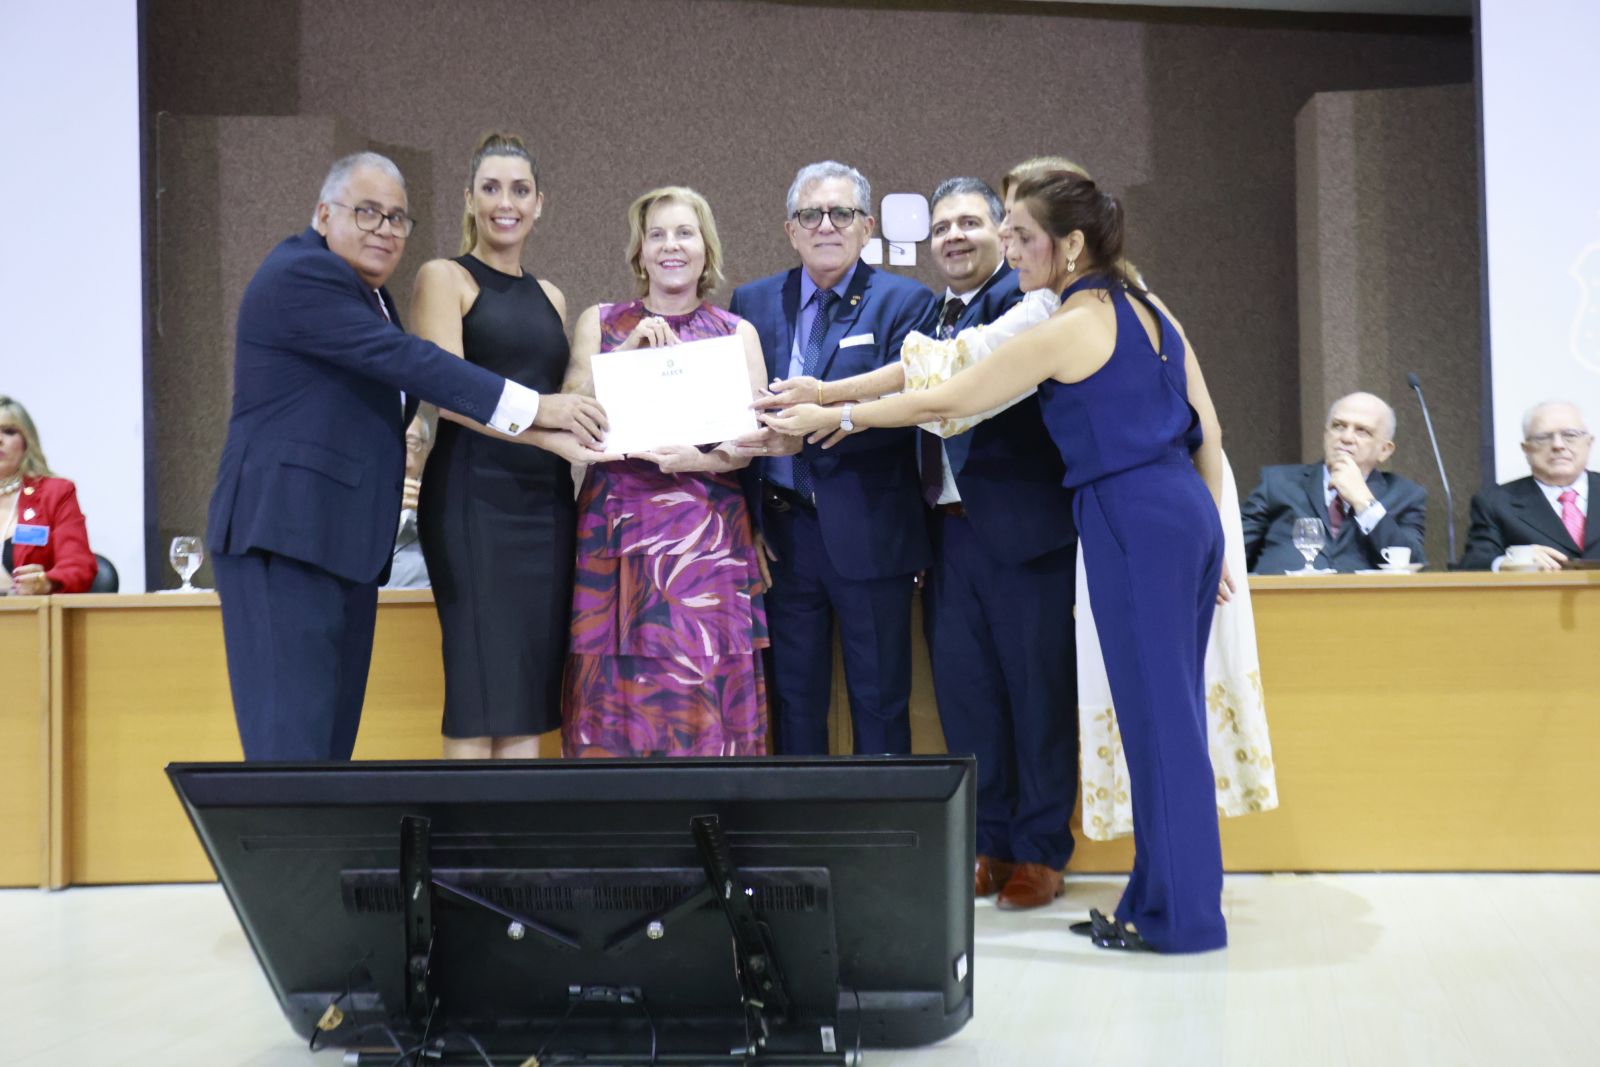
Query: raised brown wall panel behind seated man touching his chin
pixel 1390 271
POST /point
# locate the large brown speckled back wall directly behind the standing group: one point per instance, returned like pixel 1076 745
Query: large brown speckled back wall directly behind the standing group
pixel 1188 116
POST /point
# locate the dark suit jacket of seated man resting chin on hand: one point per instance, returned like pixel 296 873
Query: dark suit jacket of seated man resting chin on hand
pixel 1295 492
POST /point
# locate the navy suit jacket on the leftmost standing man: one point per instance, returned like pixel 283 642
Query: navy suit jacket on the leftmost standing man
pixel 314 460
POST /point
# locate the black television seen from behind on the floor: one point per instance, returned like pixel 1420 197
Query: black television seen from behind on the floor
pixel 764 911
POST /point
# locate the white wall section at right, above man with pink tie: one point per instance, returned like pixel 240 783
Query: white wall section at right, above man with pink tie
pixel 1542 164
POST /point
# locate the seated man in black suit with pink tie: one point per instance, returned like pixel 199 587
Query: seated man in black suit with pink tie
pixel 1546 513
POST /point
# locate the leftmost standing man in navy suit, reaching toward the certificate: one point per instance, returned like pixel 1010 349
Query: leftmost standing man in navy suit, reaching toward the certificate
pixel 308 492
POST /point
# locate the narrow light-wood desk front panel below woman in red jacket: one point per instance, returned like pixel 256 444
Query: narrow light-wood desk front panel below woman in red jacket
pixel 25 740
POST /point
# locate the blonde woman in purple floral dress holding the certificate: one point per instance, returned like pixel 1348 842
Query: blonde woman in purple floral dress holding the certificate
pixel 668 618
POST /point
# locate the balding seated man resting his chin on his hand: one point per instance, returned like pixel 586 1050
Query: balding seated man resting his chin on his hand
pixel 1364 510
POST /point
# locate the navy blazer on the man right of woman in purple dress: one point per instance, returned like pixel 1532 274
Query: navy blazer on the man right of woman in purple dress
pixel 868 494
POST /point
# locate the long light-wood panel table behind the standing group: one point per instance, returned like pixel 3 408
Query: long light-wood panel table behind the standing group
pixel 1431 722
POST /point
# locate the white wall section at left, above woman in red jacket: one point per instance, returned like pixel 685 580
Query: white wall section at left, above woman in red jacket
pixel 70 266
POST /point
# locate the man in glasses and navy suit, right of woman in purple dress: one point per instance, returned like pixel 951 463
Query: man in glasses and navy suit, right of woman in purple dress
pixel 846 526
